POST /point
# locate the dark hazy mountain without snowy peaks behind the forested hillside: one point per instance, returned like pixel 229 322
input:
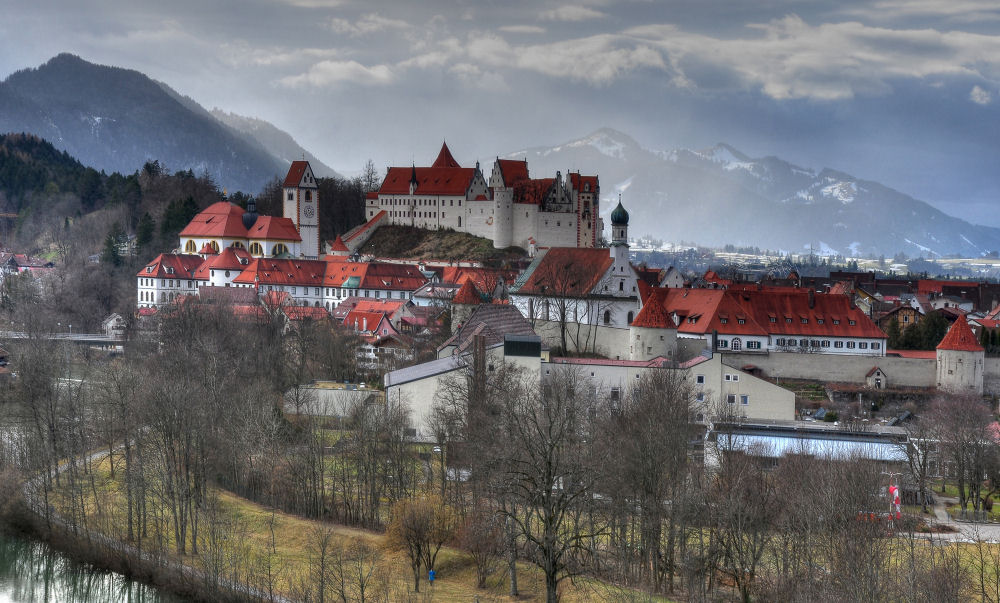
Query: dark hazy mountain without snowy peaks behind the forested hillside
pixel 118 119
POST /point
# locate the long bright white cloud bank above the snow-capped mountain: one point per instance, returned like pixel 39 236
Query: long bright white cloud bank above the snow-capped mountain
pixel 792 59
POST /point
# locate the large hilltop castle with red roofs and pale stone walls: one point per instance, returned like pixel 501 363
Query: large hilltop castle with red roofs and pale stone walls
pixel 511 208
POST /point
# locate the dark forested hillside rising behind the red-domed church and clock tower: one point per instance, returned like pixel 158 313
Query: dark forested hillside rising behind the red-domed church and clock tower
pixel 68 212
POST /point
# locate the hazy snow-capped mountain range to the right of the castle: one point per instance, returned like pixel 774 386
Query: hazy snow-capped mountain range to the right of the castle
pixel 720 195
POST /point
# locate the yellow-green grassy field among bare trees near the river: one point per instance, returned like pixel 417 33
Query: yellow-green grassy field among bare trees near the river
pixel 257 532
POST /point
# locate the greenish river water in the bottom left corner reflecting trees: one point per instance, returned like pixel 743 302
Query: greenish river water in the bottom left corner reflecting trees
pixel 32 572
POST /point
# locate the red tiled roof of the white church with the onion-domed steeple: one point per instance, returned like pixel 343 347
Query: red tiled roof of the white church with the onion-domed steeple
pixel 568 271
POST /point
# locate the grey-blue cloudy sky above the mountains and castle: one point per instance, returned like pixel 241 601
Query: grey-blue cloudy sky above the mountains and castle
pixel 903 92
